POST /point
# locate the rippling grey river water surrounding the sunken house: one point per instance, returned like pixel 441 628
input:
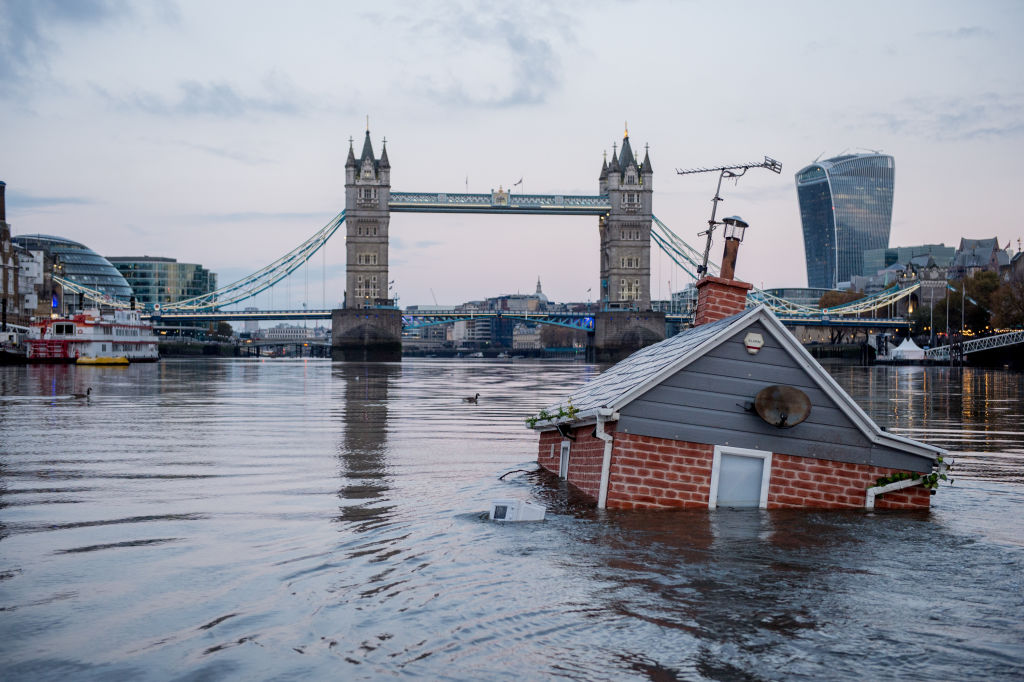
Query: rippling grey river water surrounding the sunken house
pixel 309 520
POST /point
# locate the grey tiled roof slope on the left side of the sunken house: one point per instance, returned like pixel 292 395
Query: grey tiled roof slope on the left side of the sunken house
pixel 609 390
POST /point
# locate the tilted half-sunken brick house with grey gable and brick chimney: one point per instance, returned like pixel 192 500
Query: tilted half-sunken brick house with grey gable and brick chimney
pixel 734 412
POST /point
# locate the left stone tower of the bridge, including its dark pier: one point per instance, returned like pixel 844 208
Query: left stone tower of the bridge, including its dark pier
pixel 369 327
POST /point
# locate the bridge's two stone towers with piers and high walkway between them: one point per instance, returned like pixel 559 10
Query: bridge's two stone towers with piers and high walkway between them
pixel 623 207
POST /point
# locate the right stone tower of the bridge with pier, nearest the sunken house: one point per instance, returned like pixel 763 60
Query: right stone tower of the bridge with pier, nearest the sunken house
pixel 626 322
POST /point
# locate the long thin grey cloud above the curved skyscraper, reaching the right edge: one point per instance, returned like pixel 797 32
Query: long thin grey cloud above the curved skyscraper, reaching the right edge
pixel 988 116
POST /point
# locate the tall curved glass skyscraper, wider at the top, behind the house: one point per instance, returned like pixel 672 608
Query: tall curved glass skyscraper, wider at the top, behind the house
pixel 846 207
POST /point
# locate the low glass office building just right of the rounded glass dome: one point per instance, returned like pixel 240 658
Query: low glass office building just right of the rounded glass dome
pixel 164 280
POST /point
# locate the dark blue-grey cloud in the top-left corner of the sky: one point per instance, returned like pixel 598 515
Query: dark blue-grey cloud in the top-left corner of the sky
pixel 25 46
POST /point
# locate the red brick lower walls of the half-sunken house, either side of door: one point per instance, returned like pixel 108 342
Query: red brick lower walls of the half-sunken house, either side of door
pixel 658 474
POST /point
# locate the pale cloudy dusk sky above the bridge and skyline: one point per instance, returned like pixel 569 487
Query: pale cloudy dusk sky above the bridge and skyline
pixel 217 133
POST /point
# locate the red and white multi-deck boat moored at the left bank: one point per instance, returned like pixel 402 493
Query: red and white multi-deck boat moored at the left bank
pixel 93 337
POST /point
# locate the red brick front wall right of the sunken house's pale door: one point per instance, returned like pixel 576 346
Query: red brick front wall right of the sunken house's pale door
pixel 804 482
